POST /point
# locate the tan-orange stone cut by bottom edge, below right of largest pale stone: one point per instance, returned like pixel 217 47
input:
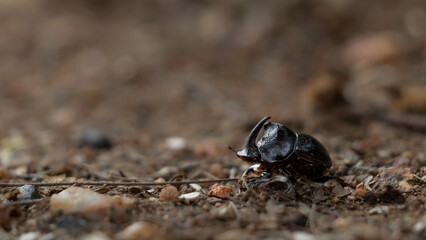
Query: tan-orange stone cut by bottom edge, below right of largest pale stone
pixel 141 231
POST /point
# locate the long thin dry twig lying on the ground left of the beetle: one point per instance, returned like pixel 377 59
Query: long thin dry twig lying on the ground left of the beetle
pixel 102 183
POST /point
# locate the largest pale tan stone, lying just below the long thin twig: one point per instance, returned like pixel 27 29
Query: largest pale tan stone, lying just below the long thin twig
pixel 81 200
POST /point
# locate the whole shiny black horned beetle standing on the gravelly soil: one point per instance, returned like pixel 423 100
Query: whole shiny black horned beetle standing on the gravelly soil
pixel 282 151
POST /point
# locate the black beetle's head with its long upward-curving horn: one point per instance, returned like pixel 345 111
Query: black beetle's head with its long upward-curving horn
pixel 251 153
